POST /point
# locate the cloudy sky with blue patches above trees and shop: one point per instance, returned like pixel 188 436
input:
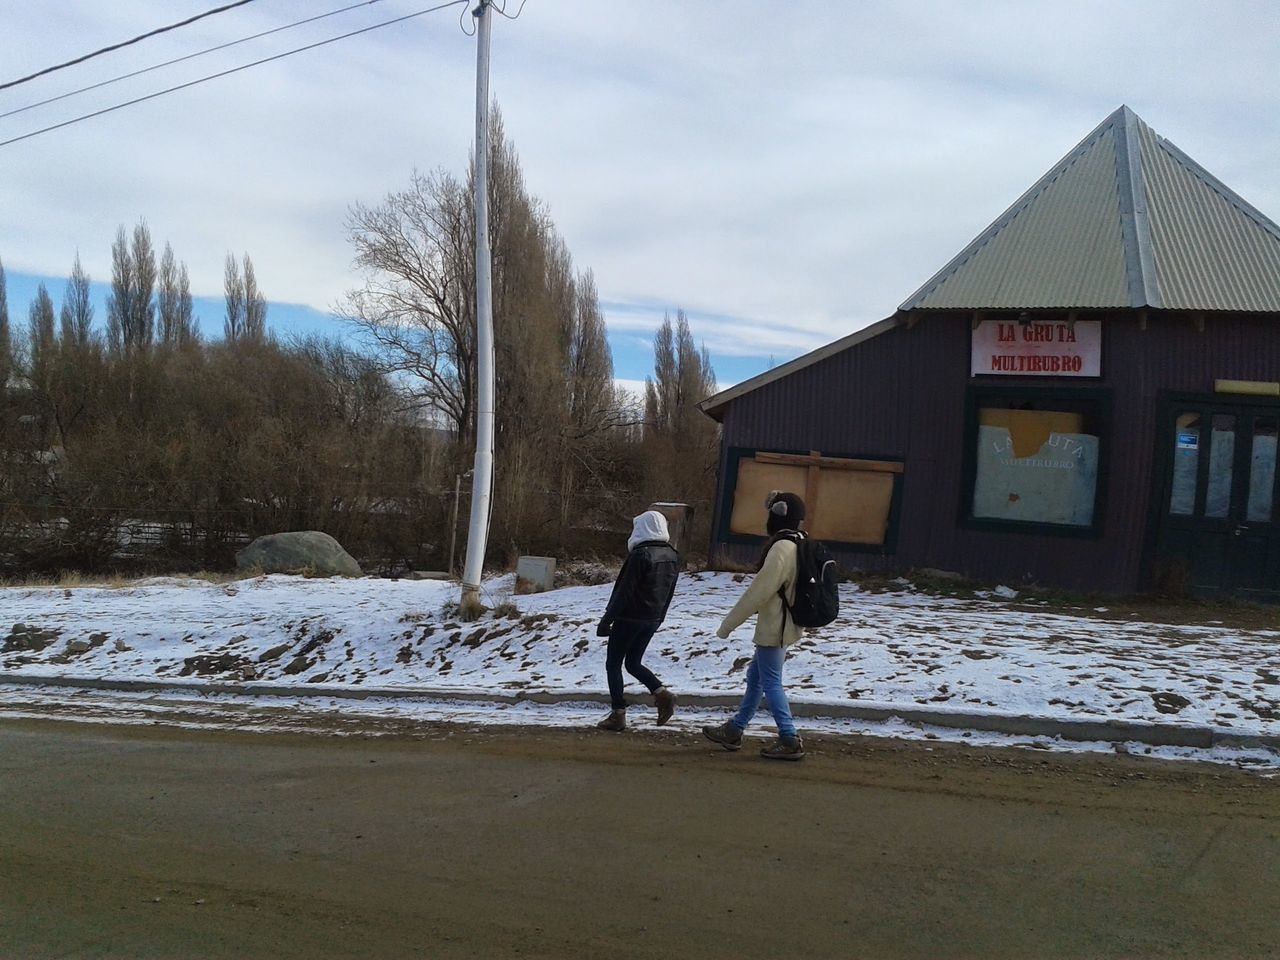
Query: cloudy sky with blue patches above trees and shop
pixel 785 172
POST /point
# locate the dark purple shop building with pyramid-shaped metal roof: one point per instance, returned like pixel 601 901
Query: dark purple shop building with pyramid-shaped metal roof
pixel 1087 396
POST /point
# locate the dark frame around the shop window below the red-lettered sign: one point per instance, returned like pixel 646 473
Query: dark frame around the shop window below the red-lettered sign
pixel 1040 394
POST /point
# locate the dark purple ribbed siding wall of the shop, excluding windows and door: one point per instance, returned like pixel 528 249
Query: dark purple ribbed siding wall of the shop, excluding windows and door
pixel 903 396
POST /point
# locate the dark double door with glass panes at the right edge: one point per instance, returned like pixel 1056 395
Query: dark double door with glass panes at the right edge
pixel 1220 529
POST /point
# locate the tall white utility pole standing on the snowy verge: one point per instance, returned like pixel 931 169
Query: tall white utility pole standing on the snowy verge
pixel 482 478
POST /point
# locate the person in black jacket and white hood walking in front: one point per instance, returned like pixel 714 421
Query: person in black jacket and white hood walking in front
pixel 637 609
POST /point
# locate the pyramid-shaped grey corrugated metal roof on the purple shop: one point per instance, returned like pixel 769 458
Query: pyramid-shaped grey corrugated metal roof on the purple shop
pixel 1123 221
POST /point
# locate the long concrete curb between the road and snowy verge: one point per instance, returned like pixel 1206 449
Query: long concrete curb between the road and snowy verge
pixel 1017 725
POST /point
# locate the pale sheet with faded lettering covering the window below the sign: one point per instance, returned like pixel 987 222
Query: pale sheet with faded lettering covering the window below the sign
pixel 1055 483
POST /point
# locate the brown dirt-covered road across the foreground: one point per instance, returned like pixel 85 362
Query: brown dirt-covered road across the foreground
pixel 441 843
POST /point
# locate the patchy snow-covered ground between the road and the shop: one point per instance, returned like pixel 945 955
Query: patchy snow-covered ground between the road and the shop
pixel 903 650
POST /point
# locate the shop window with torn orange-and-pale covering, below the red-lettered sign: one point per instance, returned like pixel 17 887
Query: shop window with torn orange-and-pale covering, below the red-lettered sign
pixel 1036 460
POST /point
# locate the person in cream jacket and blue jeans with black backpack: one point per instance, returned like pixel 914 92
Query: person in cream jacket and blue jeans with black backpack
pixel 775 633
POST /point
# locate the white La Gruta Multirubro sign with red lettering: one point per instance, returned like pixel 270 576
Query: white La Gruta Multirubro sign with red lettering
pixel 1041 349
